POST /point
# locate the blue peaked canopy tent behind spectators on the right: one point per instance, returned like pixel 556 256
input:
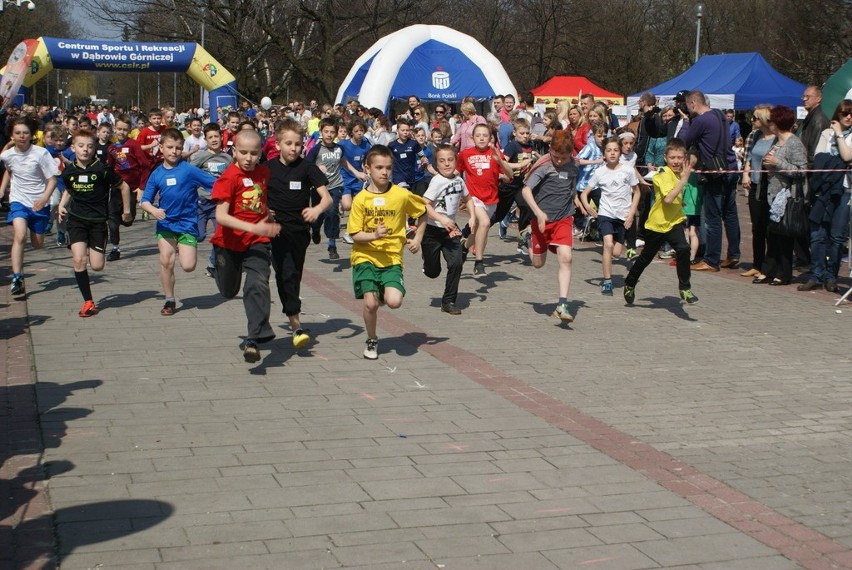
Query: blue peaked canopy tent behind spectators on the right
pixel 731 81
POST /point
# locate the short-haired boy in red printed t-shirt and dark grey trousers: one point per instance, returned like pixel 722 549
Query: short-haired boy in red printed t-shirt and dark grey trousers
pixel 241 241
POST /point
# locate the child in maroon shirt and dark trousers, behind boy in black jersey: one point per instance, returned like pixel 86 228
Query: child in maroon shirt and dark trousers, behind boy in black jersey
pixel 129 161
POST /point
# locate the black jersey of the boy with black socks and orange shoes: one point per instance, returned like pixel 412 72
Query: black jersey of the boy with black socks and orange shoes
pixel 90 187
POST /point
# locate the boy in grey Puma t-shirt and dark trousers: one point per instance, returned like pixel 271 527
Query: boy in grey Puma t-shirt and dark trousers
pixel 328 155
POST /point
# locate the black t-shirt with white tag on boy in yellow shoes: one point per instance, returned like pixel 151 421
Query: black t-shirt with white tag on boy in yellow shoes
pixel 290 190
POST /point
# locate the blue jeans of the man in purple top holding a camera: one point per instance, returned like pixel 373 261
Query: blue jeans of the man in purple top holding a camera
pixel 720 208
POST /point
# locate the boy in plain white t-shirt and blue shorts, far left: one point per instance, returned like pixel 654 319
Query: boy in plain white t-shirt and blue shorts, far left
pixel 31 175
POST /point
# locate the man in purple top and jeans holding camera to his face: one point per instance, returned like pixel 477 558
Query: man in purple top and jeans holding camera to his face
pixel 706 130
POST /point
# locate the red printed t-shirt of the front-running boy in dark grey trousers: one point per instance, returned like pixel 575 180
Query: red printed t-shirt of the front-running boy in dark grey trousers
pixel 246 194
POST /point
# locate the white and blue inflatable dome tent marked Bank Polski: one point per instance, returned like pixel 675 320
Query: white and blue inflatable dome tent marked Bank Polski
pixel 435 63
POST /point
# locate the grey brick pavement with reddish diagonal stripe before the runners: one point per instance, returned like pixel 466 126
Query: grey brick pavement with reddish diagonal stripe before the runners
pixel 652 436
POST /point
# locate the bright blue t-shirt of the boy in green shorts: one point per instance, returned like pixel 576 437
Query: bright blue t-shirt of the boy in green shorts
pixel 177 189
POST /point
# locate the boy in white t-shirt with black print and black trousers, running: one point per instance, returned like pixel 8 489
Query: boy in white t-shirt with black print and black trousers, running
pixel 440 235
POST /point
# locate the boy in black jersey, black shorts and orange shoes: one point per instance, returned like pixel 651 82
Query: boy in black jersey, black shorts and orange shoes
pixel 85 204
